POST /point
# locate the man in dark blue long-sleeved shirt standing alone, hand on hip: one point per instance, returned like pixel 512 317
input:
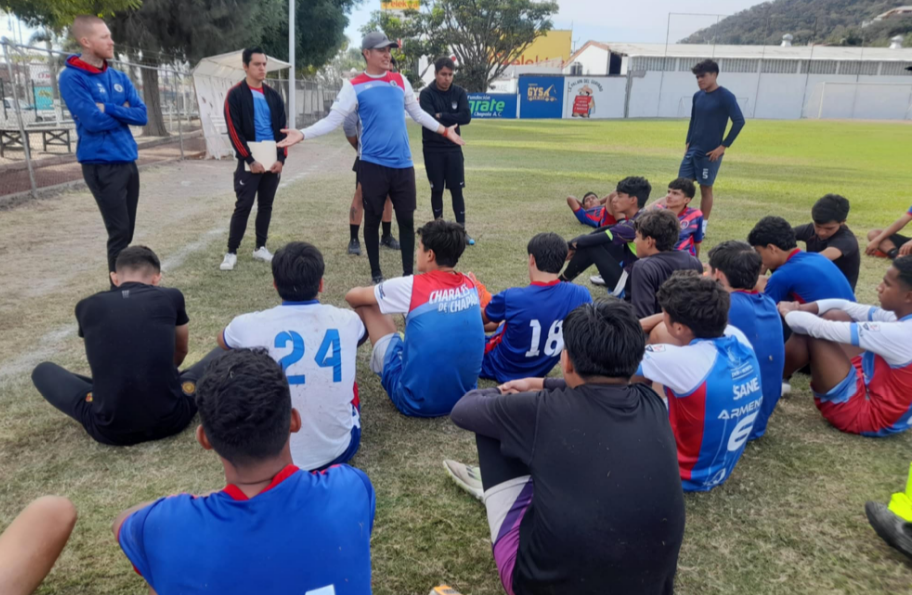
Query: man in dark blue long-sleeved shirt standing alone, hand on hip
pixel 713 107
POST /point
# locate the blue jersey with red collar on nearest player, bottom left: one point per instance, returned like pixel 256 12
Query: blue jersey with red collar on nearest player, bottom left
pixel 304 533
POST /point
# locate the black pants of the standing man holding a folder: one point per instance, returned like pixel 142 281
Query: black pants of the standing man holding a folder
pixel 247 187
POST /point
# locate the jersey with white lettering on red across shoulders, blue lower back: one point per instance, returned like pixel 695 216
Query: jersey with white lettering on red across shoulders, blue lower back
pixel 444 338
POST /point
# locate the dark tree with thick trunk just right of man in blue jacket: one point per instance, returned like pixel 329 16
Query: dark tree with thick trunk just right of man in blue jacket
pixel 165 32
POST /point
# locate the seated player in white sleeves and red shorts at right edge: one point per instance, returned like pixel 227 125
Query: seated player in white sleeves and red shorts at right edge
pixel 860 356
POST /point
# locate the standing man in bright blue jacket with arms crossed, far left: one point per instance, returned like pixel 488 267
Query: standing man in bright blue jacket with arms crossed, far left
pixel 104 105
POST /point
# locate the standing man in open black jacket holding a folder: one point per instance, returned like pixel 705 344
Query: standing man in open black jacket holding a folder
pixel 254 112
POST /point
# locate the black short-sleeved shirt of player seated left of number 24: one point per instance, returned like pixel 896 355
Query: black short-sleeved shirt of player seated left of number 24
pixel 129 339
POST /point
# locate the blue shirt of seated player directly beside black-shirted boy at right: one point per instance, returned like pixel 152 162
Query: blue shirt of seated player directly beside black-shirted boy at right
pixel 808 277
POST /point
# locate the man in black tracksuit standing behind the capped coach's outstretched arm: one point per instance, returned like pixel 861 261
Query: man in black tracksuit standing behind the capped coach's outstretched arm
pixel 442 159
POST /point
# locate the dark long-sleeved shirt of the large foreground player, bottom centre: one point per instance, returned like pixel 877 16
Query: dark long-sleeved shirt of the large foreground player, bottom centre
pixel 607 511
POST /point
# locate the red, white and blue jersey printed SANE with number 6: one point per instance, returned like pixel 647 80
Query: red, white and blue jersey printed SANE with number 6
pixel 714 397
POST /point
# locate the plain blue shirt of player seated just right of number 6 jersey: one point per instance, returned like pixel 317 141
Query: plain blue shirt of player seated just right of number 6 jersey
pixel 756 315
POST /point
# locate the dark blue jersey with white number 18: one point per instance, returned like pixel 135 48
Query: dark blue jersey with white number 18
pixel 529 342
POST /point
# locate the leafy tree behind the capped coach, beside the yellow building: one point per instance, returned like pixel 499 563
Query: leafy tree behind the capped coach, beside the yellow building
pixel 485 36
